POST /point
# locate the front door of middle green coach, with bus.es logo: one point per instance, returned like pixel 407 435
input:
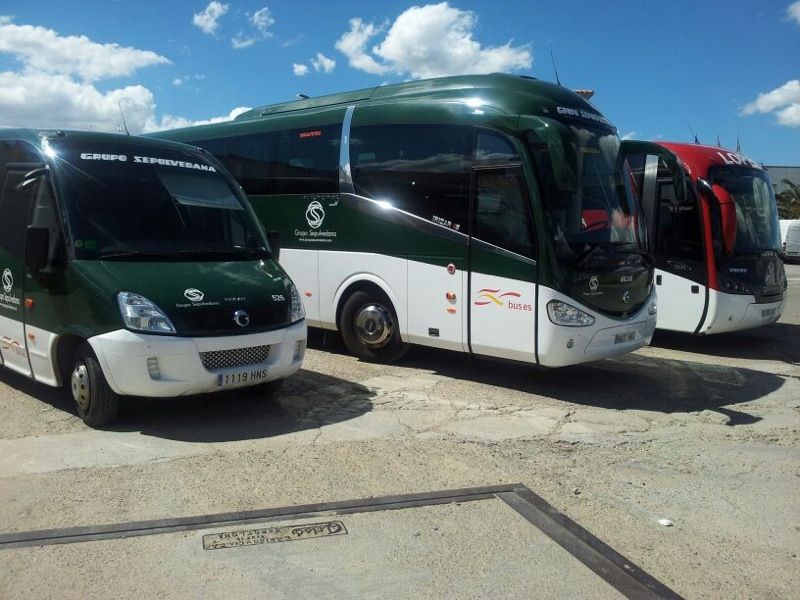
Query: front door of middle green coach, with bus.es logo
pixel 502 278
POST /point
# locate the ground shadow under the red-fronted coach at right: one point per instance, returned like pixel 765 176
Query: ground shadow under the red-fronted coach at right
pixel 779 342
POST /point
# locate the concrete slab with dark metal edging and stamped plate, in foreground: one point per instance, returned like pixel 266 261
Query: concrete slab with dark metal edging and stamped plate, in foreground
pixel 460 544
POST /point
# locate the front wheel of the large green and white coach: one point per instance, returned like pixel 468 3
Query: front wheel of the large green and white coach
pixel 369 328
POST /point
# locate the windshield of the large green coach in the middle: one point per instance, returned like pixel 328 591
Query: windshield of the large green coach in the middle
pixel 590 201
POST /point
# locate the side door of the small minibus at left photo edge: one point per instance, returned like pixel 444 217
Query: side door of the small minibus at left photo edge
pixel 15 208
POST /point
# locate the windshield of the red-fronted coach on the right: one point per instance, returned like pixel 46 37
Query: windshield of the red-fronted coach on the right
pixel 757 226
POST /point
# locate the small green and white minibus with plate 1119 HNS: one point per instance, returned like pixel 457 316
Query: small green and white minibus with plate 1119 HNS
pixel 132 266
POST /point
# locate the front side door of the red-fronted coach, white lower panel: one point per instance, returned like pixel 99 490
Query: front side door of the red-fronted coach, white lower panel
pixel 674 225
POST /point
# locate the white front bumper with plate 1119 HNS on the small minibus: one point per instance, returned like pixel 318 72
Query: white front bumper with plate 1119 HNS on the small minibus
pixel 163 366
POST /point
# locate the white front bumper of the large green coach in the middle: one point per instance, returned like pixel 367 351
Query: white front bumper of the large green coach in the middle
pixel 560 346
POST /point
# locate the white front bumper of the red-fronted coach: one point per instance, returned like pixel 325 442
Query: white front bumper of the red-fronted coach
pixel 734 312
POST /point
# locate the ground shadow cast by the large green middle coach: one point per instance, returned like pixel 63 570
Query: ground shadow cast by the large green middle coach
pixel 633 381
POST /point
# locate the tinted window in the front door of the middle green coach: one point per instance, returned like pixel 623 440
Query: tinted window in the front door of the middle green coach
pixel 502 217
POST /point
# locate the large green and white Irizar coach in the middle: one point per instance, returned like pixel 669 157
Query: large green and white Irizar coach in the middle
pixel 489 214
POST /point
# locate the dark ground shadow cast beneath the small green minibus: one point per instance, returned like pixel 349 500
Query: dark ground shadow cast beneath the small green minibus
pixel 308 400
